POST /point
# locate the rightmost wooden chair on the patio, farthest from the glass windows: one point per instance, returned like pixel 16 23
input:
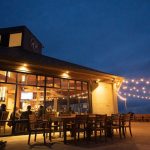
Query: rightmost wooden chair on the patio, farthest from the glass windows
pixel 126 123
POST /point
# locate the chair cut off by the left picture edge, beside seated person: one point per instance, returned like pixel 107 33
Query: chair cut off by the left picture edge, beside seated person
pixel 3 120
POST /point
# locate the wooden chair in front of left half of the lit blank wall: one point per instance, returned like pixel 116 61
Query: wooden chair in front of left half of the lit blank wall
pixel 101 126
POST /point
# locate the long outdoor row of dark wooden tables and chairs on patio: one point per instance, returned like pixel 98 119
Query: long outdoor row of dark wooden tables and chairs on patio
pixel 76 128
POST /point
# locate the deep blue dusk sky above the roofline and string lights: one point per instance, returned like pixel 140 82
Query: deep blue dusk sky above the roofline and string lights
pixel 109 35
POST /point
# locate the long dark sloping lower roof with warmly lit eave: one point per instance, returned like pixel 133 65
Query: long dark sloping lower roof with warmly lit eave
pixel 17 55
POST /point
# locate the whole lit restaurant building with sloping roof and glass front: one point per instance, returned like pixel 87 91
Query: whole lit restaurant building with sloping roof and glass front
pixel 27 77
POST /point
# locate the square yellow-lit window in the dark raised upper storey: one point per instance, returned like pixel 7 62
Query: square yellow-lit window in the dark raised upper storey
pixel 15 39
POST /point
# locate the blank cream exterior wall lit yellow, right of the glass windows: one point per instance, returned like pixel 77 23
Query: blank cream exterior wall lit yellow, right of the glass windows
pixel 103 99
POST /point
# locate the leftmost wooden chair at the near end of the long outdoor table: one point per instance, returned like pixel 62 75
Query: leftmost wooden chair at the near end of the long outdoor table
pixel 37 126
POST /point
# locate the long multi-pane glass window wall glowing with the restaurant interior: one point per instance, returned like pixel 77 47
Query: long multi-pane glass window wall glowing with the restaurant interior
pixel 53 94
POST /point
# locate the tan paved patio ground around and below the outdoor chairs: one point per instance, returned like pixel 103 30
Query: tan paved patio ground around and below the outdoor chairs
pixel 139 141
